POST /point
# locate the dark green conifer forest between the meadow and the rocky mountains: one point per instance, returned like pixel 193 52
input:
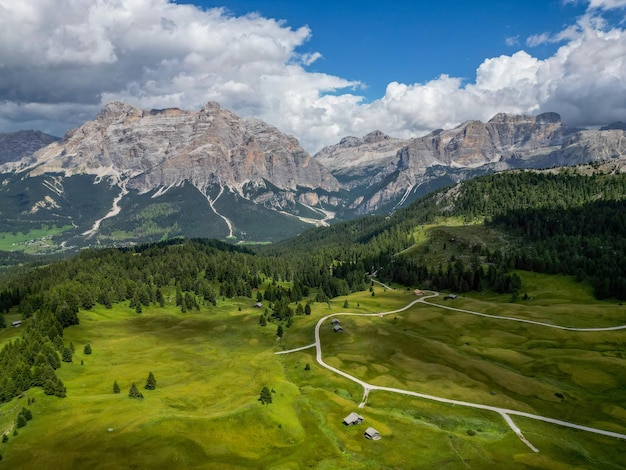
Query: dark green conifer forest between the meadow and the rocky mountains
pixel 564 222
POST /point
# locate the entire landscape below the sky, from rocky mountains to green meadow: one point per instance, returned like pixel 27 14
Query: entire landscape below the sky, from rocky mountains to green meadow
pixel 511 356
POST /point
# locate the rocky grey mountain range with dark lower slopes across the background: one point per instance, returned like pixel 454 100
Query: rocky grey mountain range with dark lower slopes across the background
pixel 141 175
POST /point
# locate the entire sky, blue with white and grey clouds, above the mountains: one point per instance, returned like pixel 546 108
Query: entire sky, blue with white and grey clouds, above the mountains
pixel 318 70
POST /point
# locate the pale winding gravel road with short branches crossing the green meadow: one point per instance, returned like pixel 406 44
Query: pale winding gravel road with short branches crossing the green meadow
pixel 504 412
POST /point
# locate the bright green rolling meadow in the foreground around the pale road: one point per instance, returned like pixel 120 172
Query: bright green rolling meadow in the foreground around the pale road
pixel 210 367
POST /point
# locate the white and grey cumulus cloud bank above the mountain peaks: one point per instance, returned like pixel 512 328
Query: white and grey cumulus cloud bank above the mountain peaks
pixel 61 60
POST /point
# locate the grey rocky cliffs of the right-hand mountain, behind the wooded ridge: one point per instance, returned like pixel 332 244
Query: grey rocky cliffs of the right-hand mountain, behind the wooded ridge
pixel 400 170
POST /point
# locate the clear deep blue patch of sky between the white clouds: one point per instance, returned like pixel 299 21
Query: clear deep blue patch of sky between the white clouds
pixel 377 42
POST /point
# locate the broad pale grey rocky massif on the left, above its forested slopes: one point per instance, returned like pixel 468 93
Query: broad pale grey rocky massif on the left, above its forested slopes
pixel 164 148
